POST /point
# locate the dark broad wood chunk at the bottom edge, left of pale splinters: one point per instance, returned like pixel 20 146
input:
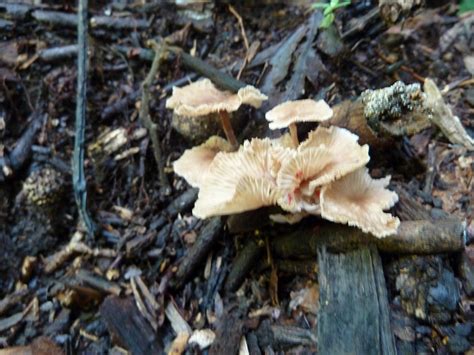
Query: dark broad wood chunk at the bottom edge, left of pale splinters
pixel 128 327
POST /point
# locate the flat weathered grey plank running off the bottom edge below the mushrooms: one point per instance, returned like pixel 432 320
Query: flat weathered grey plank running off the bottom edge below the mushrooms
pixel 354 316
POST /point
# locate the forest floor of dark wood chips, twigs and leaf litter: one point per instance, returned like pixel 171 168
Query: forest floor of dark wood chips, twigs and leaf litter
pixel 154 271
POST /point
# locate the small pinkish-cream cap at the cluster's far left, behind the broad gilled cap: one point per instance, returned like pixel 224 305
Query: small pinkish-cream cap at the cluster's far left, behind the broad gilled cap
pixel 194 163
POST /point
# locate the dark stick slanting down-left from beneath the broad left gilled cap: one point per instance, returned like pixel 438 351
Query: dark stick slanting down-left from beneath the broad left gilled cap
pixel 199 251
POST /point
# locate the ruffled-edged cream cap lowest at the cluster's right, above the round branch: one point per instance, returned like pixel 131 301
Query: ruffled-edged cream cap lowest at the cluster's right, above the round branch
pixel 359 200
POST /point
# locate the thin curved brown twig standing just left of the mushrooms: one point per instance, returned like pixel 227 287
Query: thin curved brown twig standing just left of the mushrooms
pixel 145 114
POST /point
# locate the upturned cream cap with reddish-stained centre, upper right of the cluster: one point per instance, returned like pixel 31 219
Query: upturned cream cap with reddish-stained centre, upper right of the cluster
pixel 327 155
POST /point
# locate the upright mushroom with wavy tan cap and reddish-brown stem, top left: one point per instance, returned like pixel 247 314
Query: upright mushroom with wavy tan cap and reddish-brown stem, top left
pixel 202 97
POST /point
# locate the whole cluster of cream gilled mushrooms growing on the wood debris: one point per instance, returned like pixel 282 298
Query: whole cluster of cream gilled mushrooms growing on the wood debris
pixel 324 175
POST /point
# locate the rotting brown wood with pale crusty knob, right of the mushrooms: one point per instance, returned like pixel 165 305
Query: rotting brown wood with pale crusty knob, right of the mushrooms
pixel 398 110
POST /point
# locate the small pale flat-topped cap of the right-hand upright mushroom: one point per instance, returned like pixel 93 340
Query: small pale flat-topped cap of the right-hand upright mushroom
pixel 289 112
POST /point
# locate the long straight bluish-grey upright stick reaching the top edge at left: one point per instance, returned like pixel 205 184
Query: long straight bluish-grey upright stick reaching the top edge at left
pixel 78 176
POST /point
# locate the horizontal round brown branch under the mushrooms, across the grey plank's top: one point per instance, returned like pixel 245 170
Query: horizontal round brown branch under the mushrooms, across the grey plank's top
pixel 413 237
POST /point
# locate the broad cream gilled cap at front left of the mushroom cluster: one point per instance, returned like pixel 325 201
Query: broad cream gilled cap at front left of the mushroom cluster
pixel 238 181
